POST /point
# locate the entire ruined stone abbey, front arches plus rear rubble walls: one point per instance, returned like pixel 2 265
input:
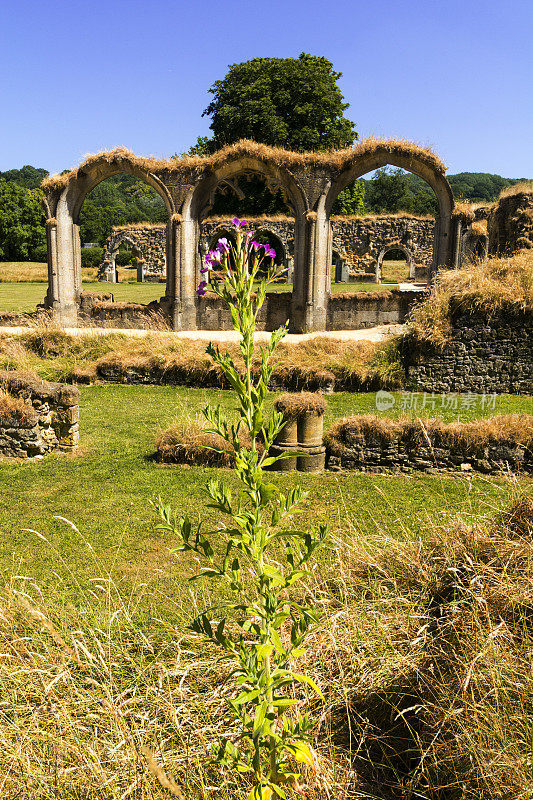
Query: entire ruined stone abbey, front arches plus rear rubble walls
pixel 315 247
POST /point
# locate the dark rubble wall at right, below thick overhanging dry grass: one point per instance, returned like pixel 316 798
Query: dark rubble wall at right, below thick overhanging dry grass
pixel 484 355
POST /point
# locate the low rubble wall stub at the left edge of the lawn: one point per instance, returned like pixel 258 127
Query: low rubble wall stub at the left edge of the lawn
pixel 51 420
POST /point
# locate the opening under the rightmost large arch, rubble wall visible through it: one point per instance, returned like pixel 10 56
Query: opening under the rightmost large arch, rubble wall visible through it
pixel 408 202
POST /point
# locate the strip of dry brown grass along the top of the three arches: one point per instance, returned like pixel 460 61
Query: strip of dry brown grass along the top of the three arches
pixel 335 160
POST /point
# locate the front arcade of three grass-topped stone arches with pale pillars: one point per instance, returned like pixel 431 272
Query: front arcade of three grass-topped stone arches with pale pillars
pixel 310 183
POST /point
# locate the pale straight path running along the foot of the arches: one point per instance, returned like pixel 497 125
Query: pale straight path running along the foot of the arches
pixel 375 334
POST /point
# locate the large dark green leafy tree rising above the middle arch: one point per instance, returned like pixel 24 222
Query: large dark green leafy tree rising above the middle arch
pixel 293 103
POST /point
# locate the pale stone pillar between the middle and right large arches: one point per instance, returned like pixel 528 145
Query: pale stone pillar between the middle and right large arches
pixel 310 288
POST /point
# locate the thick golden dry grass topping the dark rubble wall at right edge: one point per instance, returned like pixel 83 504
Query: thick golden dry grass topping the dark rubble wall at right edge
pixel 481 287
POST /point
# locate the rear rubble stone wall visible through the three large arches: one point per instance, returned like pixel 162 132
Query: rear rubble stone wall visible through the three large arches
pixel 358 241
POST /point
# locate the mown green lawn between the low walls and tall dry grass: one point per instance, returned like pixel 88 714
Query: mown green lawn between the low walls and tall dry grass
pixel 106 489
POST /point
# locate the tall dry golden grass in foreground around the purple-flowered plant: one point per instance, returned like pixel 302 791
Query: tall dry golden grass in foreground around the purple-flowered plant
pixel 424 655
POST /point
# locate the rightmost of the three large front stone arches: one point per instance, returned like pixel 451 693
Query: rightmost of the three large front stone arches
pixel 415 162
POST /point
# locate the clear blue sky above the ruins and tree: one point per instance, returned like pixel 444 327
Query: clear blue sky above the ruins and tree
pixel 77 77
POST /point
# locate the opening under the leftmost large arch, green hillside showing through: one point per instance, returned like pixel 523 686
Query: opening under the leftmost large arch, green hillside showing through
pixel 119 200
